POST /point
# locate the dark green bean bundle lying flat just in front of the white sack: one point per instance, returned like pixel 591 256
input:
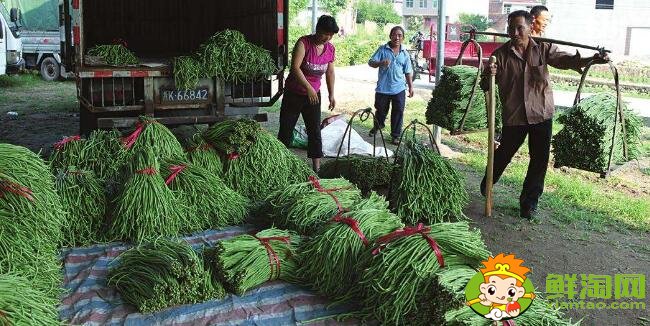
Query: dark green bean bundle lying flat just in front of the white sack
pixel 365 172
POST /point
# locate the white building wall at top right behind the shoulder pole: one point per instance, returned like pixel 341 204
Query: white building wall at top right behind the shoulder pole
pixel 579 21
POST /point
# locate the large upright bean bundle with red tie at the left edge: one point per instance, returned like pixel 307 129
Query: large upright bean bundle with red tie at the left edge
pixel 31 219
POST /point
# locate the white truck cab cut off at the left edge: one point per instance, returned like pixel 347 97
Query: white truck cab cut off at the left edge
pixel 11 47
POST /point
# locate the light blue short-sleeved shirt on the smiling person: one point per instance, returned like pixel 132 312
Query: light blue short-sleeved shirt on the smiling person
pixel 392 79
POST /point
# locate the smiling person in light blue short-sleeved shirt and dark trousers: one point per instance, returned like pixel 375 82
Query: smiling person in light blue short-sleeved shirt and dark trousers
pixel 395 73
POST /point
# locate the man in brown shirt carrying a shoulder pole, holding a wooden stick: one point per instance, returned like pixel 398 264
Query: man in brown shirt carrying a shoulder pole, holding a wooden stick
pixel 527 102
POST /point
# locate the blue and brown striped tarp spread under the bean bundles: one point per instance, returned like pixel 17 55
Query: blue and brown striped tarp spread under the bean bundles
pixel 89 301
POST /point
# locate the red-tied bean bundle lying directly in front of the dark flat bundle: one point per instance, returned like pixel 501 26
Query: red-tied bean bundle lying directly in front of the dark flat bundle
pixel 307 206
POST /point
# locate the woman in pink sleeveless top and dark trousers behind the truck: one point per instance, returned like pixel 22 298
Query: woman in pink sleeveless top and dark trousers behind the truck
pixel 313 56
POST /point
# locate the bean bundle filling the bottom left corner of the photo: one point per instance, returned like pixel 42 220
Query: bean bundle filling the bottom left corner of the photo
pixel 22 304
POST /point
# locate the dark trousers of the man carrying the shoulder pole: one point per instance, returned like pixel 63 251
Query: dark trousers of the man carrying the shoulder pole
pixel 539 143
